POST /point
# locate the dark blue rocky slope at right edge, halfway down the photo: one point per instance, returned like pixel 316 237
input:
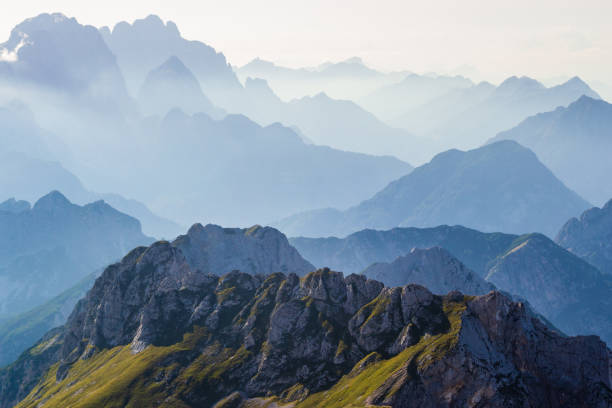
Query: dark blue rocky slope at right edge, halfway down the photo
pixel 590 237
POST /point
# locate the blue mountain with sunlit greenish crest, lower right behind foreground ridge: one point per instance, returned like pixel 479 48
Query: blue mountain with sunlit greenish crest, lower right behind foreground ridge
pixel 571 293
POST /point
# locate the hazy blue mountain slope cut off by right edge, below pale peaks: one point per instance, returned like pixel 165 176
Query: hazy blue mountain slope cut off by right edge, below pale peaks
pixel 574 142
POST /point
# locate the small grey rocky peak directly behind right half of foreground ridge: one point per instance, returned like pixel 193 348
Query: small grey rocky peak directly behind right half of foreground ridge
pixel 435 268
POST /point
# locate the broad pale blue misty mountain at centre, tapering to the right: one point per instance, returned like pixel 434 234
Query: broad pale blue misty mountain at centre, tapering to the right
pixel 201 169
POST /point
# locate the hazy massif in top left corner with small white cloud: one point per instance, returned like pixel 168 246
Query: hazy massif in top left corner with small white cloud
pixel 35 44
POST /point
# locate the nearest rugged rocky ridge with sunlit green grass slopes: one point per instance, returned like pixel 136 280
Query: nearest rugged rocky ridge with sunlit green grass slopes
pixel 154 331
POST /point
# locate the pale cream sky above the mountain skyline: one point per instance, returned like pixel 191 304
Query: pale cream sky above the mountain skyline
pixel 543 39
